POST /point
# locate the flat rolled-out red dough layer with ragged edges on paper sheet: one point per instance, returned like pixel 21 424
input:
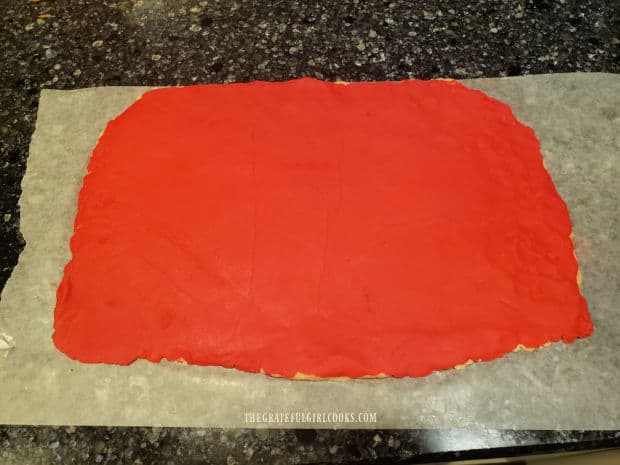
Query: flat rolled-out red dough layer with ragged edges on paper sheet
pixel 313 227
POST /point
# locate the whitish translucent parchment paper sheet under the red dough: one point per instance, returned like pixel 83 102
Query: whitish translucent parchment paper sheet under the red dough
pixel 576 386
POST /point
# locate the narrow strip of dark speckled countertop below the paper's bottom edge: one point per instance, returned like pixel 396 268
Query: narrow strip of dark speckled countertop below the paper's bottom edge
pixel 179 446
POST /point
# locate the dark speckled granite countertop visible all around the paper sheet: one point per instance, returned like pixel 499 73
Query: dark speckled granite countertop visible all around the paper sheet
pixel 66 44
